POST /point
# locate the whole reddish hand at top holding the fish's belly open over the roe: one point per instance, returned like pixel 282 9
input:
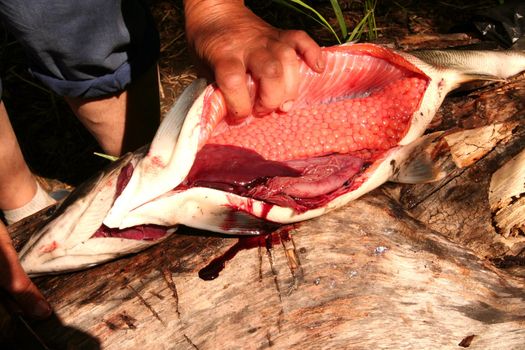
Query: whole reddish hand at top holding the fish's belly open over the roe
pixel 234 42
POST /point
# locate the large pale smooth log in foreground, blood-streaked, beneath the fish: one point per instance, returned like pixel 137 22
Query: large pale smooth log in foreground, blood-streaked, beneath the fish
pixel 366 276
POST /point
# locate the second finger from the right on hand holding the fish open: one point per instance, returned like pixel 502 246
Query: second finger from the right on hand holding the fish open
pixel 290 63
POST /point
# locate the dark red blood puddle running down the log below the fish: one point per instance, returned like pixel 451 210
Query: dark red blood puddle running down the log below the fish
pixel 268 241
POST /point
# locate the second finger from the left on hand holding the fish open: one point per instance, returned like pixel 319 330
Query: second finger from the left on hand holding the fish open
pixel 267 70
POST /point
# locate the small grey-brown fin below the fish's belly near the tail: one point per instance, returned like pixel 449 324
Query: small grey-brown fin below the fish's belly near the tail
pixel 418 169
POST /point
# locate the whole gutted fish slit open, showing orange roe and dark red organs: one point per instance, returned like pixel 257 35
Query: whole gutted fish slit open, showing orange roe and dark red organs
pixel 353 127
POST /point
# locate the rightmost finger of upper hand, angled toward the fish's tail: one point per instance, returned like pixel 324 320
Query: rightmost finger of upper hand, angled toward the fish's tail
pixel 306 47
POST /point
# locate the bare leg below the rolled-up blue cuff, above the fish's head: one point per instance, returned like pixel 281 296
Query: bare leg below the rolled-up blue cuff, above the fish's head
pixel 126 121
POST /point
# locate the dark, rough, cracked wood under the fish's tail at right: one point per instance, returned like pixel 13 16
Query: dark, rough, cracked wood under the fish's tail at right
pixel 458 206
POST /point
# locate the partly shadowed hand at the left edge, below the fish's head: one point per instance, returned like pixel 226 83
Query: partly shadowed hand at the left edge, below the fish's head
pixel 15 282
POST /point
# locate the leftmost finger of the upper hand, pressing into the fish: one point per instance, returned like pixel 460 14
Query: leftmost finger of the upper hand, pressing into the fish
pixel 230 75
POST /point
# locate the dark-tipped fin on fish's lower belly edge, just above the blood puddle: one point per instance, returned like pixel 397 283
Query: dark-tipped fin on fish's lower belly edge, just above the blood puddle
pixel 234 222
